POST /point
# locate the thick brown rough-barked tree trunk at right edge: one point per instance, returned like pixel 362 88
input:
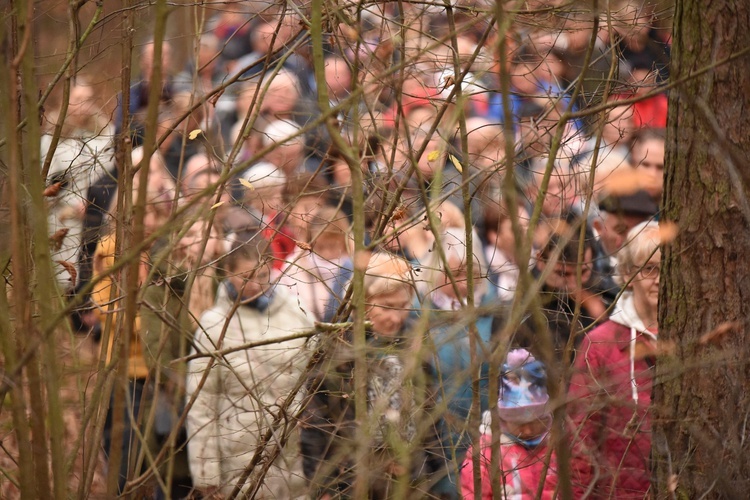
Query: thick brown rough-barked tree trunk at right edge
pixel 702 400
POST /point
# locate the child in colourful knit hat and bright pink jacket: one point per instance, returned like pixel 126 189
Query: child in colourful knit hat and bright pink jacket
pixel 525 420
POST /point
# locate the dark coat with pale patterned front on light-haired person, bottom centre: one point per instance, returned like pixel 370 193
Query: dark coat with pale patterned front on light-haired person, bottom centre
pixel 399 398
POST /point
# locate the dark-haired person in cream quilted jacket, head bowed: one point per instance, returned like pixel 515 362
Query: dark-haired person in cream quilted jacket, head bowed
pixel 235 401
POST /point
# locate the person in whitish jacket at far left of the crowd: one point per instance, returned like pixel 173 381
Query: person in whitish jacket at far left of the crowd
pixel 83 155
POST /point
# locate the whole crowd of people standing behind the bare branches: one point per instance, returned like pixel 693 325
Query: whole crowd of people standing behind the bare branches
pixel 304 369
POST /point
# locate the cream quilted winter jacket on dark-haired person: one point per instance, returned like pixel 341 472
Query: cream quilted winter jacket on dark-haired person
pixel 243 392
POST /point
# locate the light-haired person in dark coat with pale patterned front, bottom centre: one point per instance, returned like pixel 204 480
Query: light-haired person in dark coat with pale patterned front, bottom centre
pixel 404 454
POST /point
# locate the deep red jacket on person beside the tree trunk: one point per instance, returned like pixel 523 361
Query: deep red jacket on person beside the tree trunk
pixel 611 398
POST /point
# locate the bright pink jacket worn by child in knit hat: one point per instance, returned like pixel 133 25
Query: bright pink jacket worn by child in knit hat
pixel 521 470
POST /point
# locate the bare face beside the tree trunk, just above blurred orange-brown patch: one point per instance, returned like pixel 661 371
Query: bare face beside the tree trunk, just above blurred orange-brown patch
pixel 647 156
